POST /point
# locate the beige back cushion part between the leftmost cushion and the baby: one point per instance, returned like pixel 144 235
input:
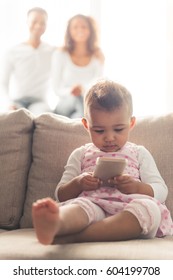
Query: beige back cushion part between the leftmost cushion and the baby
pixel 54 139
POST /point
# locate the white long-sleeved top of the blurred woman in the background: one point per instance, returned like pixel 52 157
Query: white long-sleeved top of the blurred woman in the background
pixel 66 74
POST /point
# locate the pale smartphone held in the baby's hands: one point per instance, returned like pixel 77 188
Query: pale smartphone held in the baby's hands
pixel 107 168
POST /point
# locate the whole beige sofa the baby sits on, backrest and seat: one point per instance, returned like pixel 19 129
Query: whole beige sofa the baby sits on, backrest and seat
pixel 33 153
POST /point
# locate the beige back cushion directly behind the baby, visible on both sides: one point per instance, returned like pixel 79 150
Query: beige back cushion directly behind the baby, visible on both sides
pixel 55 137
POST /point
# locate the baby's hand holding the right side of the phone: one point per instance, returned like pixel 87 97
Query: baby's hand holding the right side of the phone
pixel 126 184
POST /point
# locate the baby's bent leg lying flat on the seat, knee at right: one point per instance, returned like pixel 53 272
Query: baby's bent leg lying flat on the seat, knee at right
pixel 140 218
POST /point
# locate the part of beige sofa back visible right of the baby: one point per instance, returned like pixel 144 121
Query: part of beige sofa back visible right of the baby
pixel 156 133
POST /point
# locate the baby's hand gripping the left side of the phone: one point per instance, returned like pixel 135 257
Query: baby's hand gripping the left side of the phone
pixel 87 182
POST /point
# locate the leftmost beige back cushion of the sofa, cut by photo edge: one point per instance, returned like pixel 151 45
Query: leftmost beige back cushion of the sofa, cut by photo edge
pixel 15 157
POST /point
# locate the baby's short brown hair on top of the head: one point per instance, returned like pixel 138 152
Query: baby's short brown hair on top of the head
pixel 107 95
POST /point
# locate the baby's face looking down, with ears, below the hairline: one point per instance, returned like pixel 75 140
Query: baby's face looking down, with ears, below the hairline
pixel 109 130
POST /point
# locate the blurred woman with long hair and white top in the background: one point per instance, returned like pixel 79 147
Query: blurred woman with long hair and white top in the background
pixel 76 65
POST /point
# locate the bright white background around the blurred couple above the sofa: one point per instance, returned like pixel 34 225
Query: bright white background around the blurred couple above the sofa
pixel 136 37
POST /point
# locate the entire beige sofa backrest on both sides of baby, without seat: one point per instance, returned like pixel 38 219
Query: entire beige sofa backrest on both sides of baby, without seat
pixel 50 139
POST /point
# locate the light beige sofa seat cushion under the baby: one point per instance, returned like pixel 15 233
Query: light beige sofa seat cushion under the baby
pixel 22 244
